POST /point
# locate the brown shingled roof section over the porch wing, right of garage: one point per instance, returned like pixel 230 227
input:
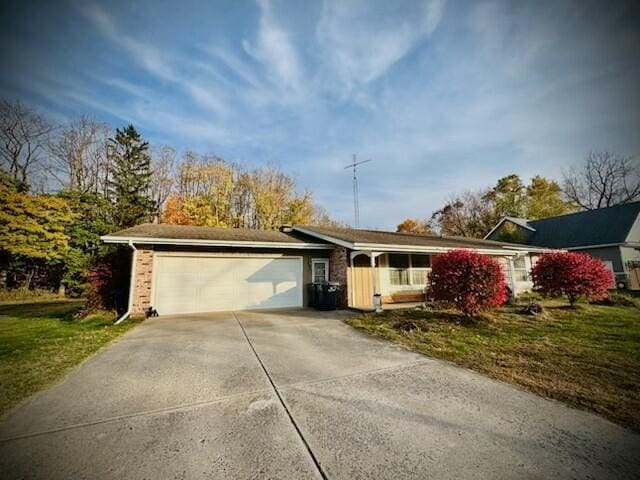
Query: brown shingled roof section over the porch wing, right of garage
pixel 352 235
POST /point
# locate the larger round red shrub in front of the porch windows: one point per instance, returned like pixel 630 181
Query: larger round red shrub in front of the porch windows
pixel 469 280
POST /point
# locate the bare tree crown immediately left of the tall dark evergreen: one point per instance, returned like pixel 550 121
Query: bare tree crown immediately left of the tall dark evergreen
pixel 79 156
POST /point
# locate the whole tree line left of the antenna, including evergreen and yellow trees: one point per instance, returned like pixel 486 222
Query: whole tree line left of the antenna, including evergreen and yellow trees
pixel 63 186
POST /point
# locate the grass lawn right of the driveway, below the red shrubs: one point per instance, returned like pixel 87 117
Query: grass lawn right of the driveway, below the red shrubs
pixel 588 357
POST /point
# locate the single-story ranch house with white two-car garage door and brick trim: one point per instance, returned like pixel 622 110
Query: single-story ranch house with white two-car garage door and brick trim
pixel 184 269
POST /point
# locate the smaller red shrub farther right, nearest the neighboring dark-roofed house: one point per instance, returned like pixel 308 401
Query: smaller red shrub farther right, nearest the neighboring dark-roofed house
pixel 571 274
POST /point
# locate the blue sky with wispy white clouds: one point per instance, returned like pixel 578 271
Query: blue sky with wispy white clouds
pixel 443 96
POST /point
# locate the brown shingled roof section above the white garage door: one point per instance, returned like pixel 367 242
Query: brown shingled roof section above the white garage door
pixel 187 232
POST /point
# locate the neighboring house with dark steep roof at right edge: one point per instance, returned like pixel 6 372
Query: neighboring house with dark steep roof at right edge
pixel 612 234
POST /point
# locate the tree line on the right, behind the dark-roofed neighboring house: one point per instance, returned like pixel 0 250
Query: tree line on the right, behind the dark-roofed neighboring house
pixel 603 180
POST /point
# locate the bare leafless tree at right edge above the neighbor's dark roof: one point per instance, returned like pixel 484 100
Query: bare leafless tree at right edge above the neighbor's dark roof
pixel 605 179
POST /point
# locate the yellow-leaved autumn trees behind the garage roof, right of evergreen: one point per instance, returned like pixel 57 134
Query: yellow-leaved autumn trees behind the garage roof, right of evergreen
pixel 208 190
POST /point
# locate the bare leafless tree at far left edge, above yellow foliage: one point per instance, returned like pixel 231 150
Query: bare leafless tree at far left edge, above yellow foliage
pixel 23 134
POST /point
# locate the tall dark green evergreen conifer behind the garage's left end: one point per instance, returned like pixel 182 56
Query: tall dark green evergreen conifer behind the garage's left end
pixel 129 187
